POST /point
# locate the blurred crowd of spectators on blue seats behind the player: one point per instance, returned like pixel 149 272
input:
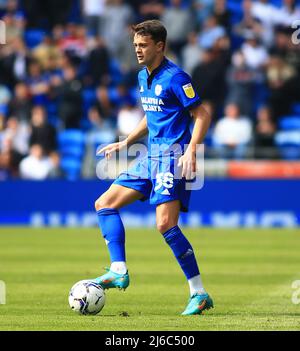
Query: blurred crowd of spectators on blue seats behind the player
pixel 70 66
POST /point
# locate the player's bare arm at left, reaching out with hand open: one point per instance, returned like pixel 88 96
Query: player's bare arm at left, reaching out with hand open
pixel 140 131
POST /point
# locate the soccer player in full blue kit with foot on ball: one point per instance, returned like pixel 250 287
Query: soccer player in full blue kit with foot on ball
pixel 170 103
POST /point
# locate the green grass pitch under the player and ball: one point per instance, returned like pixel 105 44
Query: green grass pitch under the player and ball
pixel 249 274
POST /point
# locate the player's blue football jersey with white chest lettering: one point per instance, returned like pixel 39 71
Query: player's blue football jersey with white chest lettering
pixel 167 95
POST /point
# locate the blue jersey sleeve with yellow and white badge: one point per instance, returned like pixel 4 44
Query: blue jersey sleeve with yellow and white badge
pixel 182 87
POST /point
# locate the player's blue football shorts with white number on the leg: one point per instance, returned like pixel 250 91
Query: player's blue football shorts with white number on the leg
pixel 158 179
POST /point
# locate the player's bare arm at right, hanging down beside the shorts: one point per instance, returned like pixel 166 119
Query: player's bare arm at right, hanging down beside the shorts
pixel 202 122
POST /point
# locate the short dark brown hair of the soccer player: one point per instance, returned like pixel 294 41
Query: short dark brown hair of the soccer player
pixel 153 28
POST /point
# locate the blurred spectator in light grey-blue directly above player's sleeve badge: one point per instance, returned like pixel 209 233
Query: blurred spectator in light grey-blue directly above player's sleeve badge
pixel 191 53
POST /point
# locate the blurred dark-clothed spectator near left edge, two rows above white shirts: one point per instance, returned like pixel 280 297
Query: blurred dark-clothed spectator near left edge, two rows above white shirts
pixel 20 105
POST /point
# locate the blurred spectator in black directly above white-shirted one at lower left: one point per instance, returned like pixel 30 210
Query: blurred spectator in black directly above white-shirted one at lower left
pixel 42 133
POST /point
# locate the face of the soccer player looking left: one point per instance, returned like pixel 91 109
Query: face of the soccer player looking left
pixel 146 49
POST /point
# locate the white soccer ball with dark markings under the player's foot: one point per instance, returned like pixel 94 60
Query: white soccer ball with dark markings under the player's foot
pixel 86 297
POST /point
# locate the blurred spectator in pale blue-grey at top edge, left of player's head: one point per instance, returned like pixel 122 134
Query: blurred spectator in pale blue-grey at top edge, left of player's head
pixel 117 16
